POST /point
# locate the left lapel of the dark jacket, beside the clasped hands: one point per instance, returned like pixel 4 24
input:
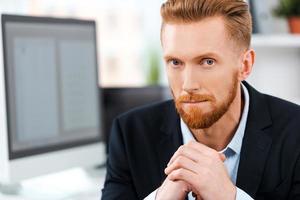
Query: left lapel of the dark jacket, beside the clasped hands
pixel 169 139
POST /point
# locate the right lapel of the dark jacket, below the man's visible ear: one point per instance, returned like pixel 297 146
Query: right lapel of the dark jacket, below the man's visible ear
pixel 256 143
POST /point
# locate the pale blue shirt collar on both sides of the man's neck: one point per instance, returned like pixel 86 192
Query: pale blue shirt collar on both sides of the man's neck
pixel 236 142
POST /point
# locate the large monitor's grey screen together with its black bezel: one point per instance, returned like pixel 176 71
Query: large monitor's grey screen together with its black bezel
pixel 51 84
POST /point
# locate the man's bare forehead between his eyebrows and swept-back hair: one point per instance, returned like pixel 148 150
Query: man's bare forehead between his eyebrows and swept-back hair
pixel 196 38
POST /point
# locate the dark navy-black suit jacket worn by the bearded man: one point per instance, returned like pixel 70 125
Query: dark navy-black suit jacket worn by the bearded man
pixel 143 140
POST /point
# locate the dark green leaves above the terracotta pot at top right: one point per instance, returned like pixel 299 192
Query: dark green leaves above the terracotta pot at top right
pixel 288 8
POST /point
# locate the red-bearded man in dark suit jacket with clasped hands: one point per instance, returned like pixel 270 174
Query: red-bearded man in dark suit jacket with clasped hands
pixel 220 139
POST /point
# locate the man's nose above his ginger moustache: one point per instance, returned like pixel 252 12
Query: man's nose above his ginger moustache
pixel 191 80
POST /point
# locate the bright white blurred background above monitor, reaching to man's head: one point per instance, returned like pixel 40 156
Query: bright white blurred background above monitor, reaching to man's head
pixel 128 33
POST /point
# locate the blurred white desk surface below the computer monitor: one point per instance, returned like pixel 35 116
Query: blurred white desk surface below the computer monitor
pixel 74 184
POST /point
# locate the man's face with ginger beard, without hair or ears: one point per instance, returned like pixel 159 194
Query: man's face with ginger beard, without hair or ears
pixel 203 70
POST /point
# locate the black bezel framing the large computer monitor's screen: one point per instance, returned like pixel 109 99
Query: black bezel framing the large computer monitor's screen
pixel 8 18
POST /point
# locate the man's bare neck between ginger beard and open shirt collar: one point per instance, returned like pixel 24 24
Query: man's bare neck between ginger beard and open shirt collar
pixel 220 133
